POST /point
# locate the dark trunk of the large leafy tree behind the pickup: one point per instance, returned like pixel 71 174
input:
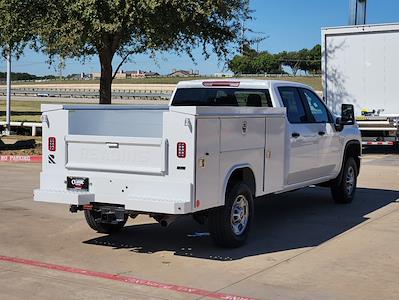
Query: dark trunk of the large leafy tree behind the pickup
pixel 106 77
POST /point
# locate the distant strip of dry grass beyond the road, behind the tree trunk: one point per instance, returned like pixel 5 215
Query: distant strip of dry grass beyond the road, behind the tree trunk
pixel 314 82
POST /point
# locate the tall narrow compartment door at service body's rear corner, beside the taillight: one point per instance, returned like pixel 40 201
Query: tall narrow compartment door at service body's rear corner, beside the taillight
pixel 207 164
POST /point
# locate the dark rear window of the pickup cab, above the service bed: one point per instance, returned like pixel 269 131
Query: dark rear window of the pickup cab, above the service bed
pixel 222 97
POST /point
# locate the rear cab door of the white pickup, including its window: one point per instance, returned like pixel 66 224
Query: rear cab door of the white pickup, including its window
pixel 303 150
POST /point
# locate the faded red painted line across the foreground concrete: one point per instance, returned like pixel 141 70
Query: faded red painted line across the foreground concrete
pixel 123 278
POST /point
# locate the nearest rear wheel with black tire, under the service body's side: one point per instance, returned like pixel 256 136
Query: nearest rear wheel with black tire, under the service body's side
pixel 226 230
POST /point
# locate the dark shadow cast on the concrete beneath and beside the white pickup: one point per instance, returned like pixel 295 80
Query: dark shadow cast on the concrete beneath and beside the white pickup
pixel 304 218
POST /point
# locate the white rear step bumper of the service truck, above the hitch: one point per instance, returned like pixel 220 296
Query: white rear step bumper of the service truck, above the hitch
pixel 134 203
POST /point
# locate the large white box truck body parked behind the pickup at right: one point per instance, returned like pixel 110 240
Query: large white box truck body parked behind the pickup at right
pixel 360 66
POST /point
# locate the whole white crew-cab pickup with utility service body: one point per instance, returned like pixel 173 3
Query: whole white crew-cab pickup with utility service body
pixel 215 148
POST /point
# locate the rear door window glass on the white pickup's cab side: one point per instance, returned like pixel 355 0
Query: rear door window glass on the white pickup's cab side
pixel 292 101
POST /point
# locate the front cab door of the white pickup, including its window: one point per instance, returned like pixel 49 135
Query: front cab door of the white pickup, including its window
pixel 323 123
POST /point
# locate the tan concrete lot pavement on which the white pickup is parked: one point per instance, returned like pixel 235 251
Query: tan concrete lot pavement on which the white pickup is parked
pixel 302 246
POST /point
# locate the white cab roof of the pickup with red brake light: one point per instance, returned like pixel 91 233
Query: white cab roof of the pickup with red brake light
pixel 237 83
